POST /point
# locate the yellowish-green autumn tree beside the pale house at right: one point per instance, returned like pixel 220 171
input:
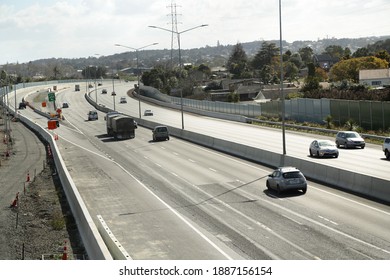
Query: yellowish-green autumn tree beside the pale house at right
pixel 349 69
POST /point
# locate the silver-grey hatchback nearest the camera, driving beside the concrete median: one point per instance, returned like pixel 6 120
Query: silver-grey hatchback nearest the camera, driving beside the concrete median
pixel 286 178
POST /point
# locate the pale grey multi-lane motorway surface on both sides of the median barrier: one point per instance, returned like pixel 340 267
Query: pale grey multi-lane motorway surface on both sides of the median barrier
pixel 176 200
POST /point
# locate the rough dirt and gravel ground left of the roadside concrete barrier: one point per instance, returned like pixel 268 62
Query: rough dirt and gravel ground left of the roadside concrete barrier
pixel 41 225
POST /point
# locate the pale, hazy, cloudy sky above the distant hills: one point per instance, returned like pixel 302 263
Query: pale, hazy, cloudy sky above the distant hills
pixel 31 30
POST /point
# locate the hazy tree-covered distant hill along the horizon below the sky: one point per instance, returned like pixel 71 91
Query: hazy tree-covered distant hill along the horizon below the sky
pixel 211 56
